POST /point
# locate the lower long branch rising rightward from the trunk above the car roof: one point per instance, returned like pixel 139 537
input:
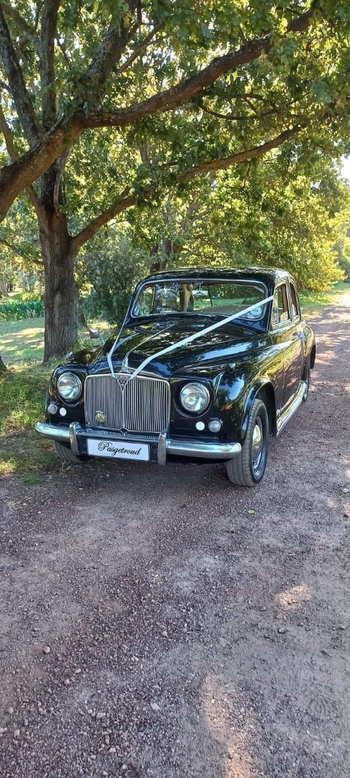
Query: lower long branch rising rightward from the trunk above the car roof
pixel 128 200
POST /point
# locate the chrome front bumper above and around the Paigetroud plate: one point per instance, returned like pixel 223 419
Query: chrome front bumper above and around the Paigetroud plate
pixel 75 434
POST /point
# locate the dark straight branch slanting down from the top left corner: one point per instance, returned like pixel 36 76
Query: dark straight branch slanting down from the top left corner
pixel 15 78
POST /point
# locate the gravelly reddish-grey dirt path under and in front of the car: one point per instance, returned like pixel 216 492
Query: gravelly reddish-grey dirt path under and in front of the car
pixel 159 623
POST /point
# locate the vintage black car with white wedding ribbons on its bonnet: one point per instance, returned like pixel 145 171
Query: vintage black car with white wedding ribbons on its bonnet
pixel 207 364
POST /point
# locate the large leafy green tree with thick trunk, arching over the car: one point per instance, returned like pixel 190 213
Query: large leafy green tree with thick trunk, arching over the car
pixel 208 86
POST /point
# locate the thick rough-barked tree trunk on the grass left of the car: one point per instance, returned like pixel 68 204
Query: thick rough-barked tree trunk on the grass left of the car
pixel 61 325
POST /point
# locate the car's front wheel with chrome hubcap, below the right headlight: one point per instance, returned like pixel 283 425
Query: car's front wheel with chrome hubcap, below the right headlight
pixel 248 467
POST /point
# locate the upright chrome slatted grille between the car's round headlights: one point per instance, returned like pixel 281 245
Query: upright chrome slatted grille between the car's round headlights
pixel 141 404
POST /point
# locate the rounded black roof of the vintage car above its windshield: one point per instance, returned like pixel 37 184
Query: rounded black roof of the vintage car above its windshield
pixel 266 275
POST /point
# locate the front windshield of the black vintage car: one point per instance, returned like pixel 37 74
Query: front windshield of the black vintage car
pixel 207 298
